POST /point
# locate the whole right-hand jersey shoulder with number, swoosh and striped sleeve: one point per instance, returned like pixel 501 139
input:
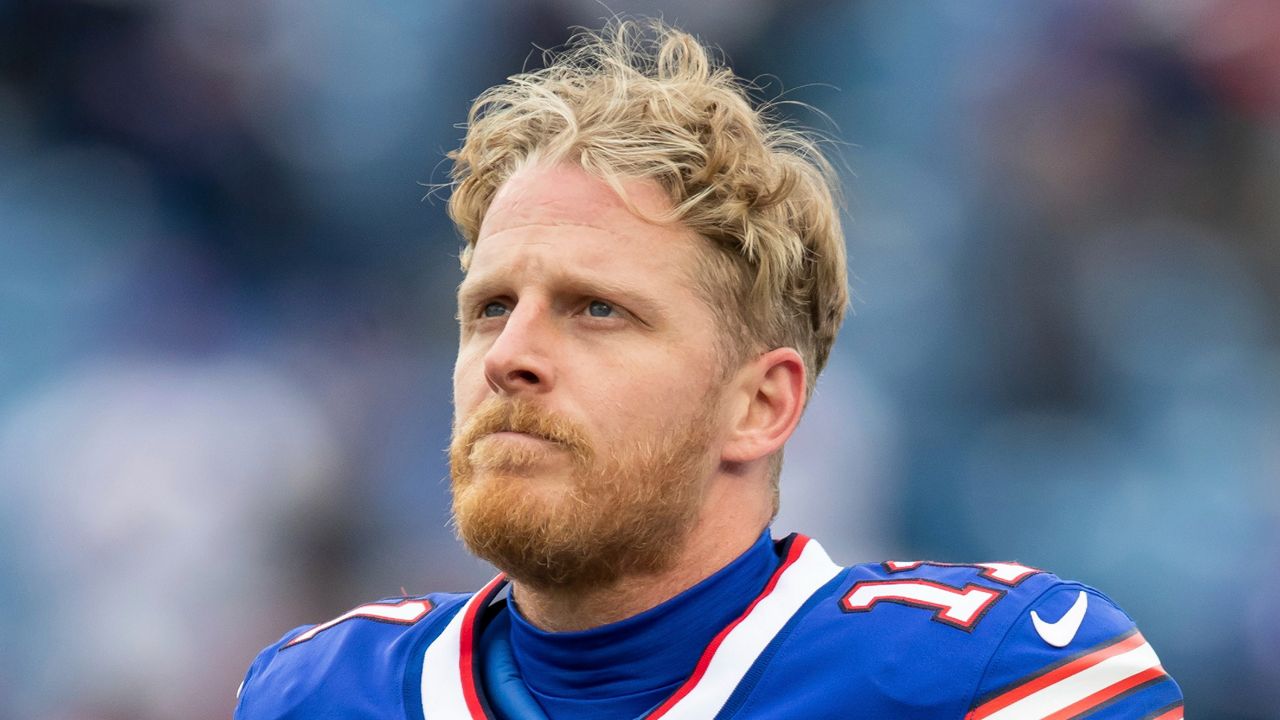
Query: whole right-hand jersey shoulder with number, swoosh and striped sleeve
pixel 975 640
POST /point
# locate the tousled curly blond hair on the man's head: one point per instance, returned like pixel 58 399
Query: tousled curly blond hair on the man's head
pixel 646 101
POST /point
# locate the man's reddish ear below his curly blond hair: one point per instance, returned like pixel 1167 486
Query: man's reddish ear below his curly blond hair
pixel 774 389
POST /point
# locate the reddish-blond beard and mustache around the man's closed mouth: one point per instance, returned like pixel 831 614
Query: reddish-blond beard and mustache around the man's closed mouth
pixel 572 520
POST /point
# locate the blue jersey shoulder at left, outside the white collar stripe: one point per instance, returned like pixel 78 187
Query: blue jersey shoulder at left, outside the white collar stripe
pixel 356 660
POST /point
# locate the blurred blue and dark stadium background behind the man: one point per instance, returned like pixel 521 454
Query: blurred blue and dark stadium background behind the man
pixel 227 316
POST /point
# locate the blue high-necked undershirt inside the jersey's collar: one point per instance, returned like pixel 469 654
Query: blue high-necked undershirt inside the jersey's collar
pixel 623 671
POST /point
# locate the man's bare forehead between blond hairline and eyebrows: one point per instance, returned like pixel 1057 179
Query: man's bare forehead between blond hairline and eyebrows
pixel 570 221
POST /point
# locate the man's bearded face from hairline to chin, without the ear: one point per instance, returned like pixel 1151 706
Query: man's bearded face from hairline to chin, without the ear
pixel 587 386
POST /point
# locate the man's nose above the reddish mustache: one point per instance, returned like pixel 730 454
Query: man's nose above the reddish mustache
pixel 520 359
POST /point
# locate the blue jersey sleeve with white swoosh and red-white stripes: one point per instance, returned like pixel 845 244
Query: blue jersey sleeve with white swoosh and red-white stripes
pixel 1075 653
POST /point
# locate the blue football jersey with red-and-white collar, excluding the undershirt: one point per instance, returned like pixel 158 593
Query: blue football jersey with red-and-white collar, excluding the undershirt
pixel 994 641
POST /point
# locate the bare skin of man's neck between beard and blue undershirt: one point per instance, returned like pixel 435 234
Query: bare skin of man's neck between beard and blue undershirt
pixel 715 543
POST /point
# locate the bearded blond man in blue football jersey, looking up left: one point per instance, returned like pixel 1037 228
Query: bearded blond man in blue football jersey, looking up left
pixel 655 277
